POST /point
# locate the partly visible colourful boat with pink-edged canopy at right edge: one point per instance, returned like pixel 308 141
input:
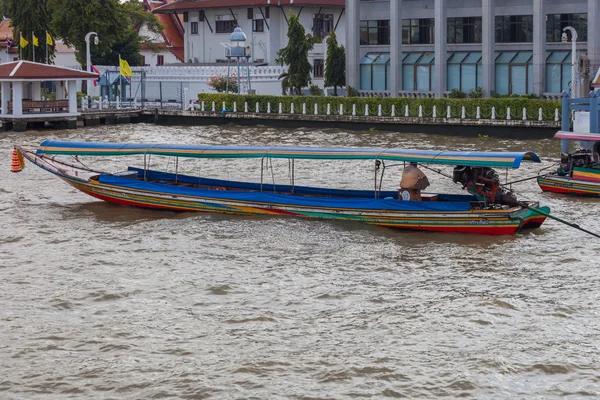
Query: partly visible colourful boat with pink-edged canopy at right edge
pixel 579 171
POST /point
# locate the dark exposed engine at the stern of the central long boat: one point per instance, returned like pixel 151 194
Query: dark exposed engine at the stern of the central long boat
pixel 484 183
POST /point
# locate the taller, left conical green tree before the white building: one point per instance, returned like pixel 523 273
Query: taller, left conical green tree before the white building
pixel 295 55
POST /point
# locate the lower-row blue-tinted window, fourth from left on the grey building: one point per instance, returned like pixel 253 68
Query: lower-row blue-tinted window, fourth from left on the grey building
pixel 514 72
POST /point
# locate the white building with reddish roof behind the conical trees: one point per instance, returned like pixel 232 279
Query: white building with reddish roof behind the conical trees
pixel 207 25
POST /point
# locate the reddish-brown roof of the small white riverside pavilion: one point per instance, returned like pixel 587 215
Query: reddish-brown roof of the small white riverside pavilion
pixel 30 71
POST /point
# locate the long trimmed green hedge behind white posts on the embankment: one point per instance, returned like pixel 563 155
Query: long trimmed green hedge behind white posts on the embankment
pixel 487 108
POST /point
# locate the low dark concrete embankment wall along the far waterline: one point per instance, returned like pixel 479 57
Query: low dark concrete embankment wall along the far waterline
pixel 509 128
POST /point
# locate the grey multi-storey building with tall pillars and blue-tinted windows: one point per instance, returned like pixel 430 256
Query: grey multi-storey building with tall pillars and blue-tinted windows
pixel 502 46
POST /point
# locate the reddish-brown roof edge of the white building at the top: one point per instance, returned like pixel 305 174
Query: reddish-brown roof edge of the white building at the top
pixel 185 5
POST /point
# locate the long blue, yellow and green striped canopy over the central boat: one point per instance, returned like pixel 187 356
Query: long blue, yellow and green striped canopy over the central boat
pixel 468 158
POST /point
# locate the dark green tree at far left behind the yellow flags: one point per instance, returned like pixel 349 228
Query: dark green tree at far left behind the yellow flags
pixel 31 17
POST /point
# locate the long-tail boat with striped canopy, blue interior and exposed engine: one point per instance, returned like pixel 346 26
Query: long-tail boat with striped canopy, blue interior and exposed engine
pixel 486 209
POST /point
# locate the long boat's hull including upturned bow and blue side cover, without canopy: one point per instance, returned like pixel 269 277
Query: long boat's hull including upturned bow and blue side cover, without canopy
pixel 422 216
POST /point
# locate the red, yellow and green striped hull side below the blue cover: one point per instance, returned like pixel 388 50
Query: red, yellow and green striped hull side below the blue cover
pixel 487 222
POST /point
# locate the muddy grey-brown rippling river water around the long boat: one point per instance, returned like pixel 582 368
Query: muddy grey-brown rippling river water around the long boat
pixel 103 301
